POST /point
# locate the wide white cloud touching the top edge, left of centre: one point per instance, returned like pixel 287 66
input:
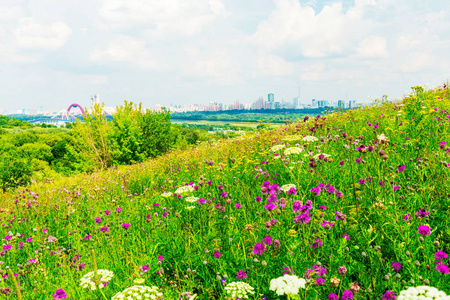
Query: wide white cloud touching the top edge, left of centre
pixel 161 18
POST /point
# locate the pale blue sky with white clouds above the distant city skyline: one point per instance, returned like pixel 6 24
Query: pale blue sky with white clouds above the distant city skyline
pixel 54 53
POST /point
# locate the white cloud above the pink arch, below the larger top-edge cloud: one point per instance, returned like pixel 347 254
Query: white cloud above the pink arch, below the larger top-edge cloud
pixel 125 49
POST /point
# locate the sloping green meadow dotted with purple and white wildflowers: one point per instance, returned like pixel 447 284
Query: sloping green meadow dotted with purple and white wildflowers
pixel 351 205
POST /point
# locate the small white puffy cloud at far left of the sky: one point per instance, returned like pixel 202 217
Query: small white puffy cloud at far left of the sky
pixel 33 35
